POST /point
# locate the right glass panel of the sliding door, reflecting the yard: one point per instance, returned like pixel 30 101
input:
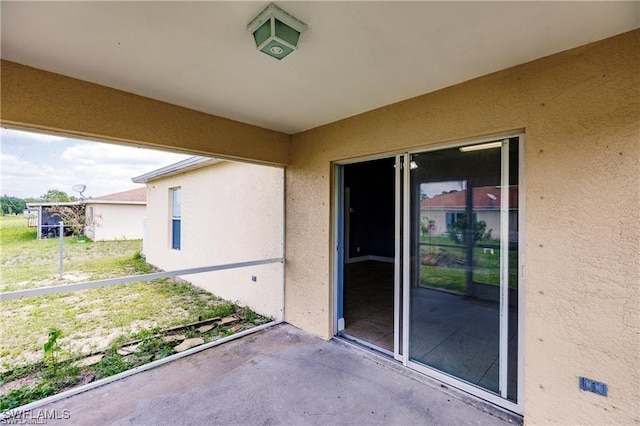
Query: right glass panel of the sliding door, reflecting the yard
pixel 463 249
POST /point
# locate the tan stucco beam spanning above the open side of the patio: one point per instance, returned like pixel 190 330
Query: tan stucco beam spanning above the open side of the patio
pixel 40 100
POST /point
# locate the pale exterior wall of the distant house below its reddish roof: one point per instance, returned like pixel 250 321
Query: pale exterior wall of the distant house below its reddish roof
pixel 116 221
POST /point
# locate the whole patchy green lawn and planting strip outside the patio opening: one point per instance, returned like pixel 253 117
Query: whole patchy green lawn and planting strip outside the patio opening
pixel 90 320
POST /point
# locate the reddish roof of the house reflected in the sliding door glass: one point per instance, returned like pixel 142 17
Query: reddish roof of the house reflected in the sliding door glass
pixel 484 198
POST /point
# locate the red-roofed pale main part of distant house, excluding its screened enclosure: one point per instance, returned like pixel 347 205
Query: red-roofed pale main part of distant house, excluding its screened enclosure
pixel 116 216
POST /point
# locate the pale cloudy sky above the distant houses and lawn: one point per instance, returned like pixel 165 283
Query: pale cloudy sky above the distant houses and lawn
pixel 32 163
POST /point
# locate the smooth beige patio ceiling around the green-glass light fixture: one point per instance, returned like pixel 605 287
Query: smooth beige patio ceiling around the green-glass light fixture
pixel 356 56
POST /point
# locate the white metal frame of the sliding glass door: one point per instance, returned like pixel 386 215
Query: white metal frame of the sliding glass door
pixel 401 345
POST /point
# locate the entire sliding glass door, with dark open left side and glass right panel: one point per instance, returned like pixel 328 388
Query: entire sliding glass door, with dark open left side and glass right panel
pixel 428 261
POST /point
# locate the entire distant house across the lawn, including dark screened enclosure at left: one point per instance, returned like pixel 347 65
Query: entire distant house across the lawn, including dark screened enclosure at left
pixel 109 217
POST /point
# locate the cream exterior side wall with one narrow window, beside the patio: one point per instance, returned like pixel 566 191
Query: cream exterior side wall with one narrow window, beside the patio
pixel 231 212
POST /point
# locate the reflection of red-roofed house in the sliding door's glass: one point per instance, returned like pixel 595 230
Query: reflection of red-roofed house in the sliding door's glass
pixel 447 209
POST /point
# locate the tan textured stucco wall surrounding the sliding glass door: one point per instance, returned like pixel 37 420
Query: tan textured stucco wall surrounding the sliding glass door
pixel 581 115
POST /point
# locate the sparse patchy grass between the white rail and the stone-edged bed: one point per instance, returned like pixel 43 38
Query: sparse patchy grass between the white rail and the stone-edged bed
pixel 92 319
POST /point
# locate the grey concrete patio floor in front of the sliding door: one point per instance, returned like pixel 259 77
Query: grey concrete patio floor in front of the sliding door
pixel 278 376
